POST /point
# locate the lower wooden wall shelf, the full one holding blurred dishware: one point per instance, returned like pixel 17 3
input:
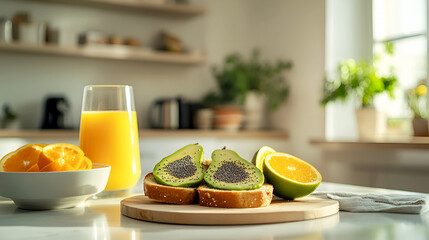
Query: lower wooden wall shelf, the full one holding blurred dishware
pixel 114 52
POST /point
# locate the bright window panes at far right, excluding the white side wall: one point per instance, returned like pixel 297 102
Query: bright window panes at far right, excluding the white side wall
pixel 403 23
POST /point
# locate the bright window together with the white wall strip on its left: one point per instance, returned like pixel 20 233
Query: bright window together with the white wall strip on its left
pixel 358 29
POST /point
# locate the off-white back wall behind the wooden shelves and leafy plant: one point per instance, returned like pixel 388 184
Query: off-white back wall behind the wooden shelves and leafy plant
pixel 290 29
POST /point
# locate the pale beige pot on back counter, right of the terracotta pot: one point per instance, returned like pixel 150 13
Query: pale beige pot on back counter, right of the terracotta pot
pixel 254 111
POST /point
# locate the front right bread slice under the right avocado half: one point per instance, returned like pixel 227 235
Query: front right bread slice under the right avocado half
pixel 211 197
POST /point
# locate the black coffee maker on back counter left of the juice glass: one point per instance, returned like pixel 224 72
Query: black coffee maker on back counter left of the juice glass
pixel 55 112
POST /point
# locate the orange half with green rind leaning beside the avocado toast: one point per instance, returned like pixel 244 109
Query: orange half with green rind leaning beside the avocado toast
pixel 291 177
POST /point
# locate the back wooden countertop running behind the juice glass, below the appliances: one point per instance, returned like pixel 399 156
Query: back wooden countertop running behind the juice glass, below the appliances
pixel 144 133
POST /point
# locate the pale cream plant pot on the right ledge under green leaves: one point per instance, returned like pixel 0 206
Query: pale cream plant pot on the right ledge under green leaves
pixel 371 123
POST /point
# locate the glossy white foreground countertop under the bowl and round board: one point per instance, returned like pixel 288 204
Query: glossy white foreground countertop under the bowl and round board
pixel 101 219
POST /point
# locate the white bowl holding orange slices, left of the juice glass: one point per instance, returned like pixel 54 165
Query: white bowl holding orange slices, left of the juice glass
pixel 53 190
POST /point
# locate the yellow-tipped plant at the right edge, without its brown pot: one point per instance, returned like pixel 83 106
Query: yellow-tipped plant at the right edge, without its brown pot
pixel 417 101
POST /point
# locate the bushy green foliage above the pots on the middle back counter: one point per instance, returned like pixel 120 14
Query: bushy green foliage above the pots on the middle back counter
pixel 238 76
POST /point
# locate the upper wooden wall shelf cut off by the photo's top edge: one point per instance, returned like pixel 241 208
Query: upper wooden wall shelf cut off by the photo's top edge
pixel 137 6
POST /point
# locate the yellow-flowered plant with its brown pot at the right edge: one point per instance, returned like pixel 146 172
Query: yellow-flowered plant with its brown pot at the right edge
pixel 417 102
